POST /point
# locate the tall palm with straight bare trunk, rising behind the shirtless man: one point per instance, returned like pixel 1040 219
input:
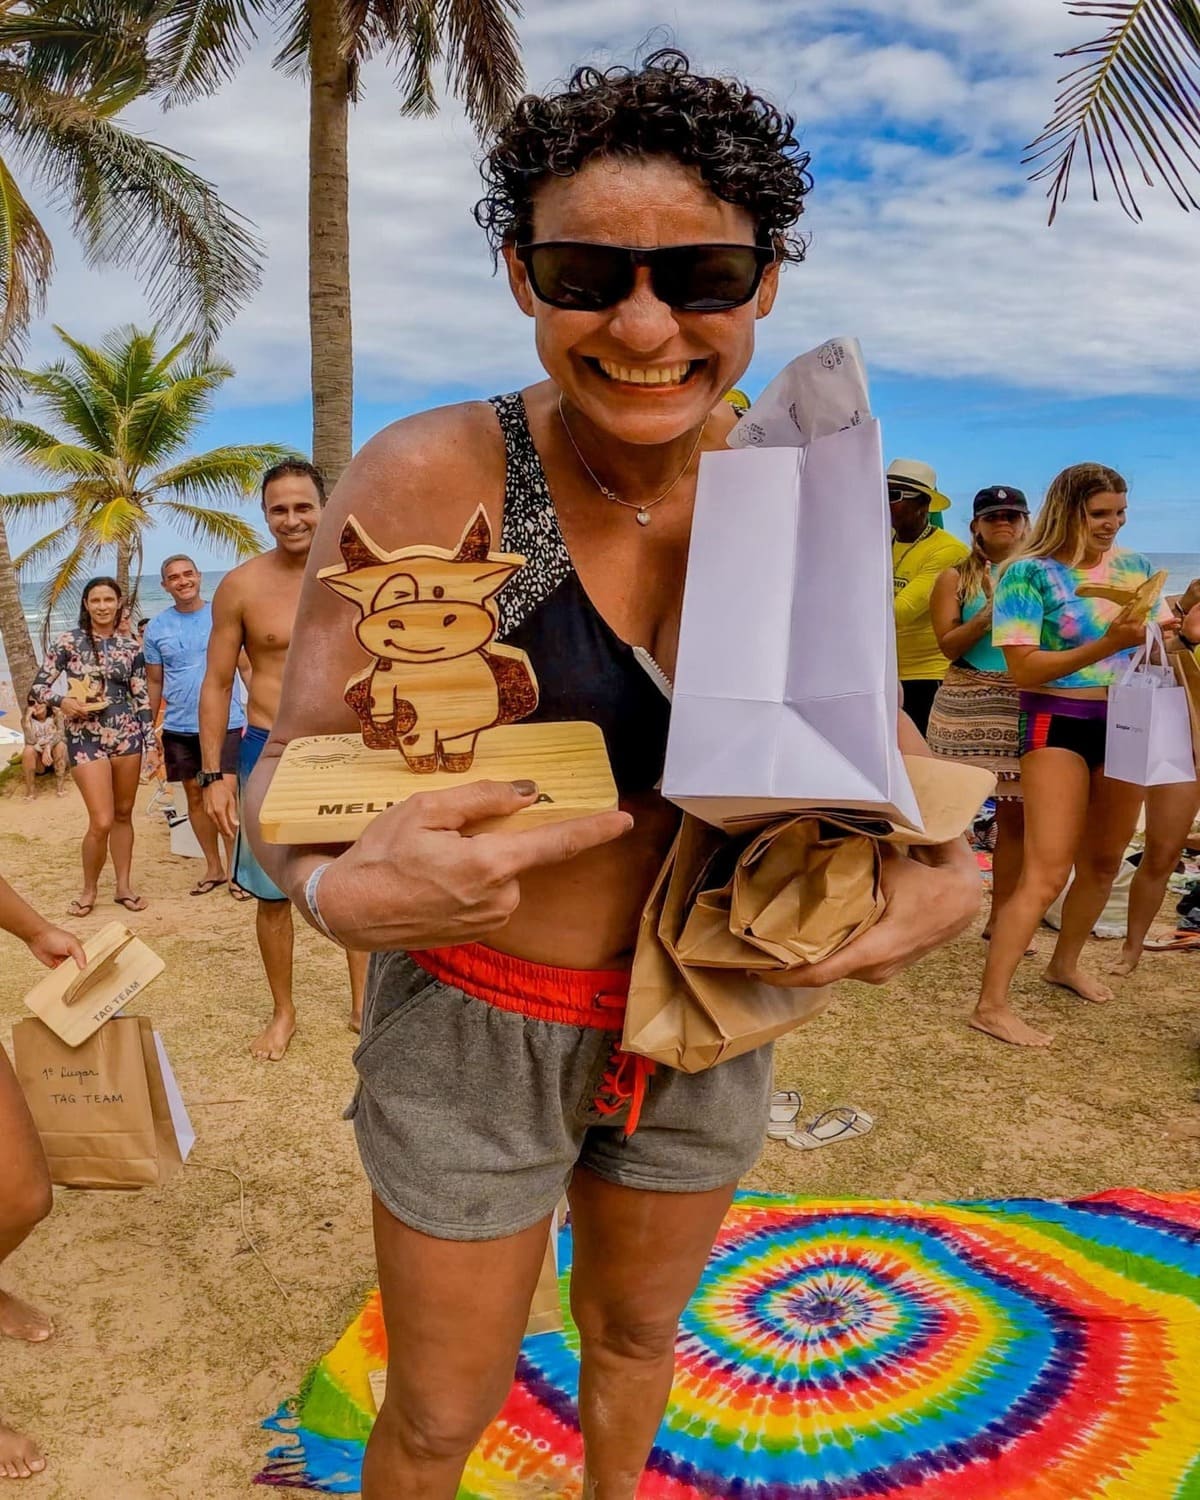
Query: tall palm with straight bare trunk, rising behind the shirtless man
pixel 200 46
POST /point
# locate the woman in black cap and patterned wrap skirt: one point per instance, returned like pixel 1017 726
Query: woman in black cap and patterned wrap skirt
pixel 976 712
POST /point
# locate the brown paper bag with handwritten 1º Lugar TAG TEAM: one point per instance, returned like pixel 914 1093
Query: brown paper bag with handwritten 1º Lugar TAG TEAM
pixel 101 1108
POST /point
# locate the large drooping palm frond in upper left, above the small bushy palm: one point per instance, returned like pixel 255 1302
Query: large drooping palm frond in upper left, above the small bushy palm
pixel 139 205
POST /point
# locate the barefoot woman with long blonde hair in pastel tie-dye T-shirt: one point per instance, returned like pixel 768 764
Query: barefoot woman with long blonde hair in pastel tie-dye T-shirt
pixel 1064 652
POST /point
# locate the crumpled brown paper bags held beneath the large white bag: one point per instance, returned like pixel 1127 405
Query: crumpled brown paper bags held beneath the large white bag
pixel 769 901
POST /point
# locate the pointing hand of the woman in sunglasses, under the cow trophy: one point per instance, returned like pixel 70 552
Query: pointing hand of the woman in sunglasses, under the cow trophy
pixel 419 880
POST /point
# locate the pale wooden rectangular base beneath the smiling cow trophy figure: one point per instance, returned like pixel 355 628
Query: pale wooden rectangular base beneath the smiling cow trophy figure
pixel 328 788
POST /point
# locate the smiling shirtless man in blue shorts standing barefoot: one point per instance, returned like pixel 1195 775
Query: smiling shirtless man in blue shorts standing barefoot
pixel 254 610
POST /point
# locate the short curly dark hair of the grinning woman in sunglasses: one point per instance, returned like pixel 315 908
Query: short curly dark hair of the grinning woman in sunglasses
pixel 743 146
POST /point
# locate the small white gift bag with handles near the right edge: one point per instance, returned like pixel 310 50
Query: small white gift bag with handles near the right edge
pixel 1150 733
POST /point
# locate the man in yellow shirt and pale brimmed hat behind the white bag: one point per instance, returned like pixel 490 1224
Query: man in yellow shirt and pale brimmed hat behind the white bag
pixel 919 554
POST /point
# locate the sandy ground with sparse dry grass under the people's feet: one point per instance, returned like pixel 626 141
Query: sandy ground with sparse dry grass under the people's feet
pixel 173 1342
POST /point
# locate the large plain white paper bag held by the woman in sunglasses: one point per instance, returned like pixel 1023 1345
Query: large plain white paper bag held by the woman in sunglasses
pixel 785 689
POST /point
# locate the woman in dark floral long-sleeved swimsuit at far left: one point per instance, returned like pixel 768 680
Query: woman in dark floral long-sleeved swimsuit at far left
pixel 107 719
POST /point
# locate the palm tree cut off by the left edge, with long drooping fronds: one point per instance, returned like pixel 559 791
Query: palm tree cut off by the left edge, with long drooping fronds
pixel 68 68
